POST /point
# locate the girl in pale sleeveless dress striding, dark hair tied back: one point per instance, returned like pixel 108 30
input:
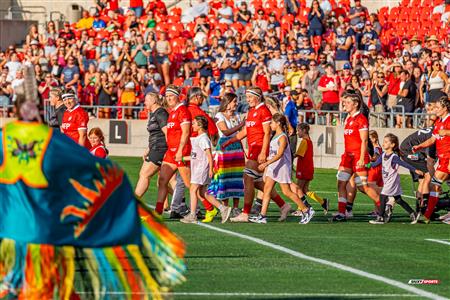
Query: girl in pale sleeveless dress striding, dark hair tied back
pixel 278 170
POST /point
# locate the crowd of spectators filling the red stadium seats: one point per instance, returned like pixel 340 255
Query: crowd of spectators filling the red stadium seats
pixel 309 55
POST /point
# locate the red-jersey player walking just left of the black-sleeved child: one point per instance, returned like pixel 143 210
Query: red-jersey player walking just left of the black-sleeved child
pixel 356 155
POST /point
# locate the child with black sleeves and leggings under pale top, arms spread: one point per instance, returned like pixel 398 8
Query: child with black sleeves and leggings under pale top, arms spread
pixel 390 162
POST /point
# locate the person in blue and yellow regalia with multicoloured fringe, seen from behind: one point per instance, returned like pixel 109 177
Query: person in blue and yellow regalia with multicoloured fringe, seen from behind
pixel 70 225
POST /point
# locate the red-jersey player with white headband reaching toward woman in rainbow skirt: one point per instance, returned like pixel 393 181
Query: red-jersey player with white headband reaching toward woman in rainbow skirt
pixel 257 131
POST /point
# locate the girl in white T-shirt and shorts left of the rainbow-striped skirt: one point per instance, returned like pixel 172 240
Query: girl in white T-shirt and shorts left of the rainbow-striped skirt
pixel 201 170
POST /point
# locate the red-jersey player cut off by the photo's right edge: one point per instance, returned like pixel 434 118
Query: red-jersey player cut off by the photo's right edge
pixel 441 136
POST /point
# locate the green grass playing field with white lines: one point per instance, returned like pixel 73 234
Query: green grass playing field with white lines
pixel 222 265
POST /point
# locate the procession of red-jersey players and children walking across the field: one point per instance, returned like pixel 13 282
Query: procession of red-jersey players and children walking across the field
pixel 233 156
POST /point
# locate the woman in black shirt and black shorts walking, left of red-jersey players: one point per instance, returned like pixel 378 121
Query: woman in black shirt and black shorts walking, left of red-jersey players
pixel 157 145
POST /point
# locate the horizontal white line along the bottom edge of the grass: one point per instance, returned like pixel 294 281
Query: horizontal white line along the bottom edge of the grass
pixel 202 294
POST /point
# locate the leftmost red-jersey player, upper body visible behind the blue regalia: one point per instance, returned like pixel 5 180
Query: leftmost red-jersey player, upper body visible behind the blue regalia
pixel 75 120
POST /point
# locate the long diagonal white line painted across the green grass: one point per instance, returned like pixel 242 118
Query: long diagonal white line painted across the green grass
pixel 339 266
